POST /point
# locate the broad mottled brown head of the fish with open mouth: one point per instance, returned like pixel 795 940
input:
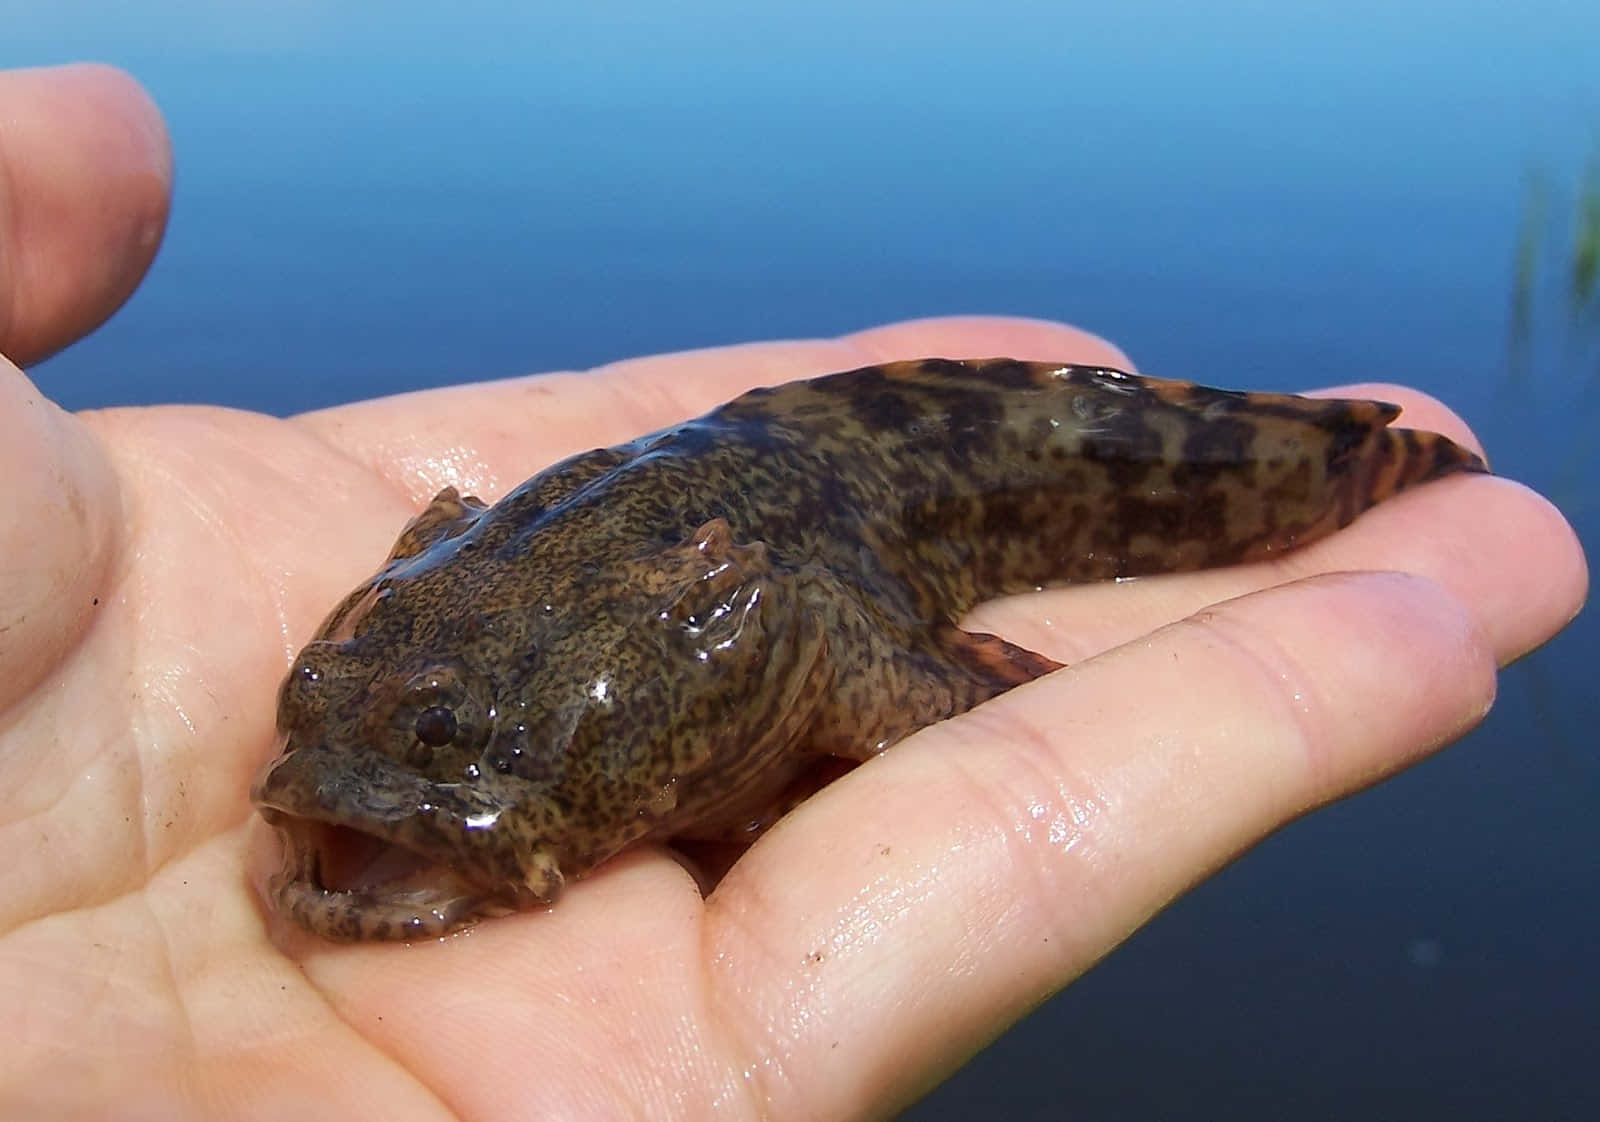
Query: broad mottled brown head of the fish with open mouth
pixel 466 735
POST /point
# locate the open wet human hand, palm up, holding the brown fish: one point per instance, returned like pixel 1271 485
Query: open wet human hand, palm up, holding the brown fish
pixel 164 566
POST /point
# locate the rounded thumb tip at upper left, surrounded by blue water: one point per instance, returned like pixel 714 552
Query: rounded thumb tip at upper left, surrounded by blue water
pixel 86 177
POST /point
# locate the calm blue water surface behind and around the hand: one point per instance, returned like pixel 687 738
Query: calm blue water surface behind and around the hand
pixel 382 198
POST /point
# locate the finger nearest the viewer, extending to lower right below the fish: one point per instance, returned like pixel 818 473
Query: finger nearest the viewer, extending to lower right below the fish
pixel 890 928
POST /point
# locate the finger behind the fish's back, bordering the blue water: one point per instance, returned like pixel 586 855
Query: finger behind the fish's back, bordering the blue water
pixel 489 438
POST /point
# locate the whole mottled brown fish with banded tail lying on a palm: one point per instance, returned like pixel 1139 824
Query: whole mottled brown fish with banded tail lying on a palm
pixel 665 639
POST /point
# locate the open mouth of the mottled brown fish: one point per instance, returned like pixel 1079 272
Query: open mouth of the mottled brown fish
pixel 350 886
